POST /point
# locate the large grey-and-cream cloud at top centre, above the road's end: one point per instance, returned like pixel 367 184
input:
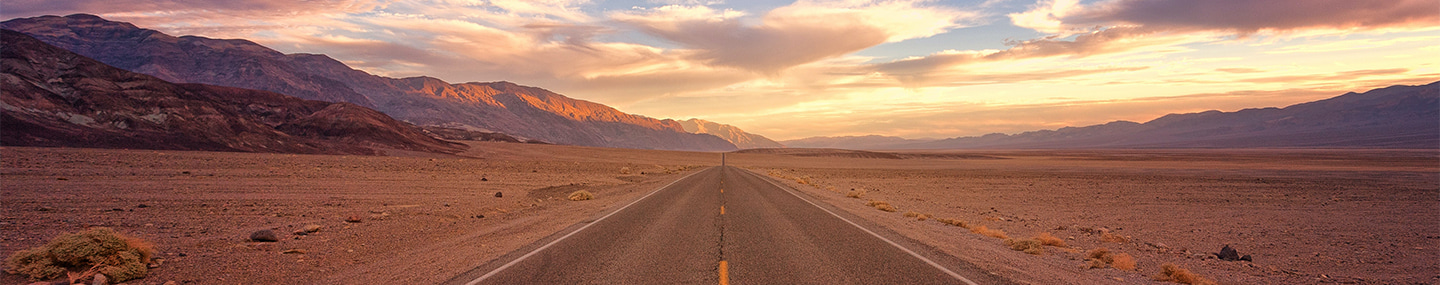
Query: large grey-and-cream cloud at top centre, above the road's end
pixel 793 35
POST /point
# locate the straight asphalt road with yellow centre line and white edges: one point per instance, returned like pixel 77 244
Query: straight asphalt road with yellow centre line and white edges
pixel 725 225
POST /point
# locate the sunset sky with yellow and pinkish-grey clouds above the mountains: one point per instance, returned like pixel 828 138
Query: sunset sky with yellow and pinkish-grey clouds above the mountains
pixel 796 70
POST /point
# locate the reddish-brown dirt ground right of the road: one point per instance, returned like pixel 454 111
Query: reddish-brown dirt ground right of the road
pixel 1307 217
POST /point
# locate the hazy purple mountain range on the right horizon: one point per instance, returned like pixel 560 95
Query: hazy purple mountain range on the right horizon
pixel 1395 117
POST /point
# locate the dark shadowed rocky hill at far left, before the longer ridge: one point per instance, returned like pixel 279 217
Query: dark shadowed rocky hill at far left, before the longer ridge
pixel 57 99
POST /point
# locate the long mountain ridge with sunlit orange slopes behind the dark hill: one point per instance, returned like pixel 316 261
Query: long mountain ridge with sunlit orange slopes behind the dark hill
pixel 495 107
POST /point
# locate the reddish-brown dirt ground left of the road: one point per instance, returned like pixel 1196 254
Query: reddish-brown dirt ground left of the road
pixel 421 214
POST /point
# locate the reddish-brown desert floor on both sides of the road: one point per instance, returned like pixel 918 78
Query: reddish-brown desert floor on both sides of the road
pixel 1307 217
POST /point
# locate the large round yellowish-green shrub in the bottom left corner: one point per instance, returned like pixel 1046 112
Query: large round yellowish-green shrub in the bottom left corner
pixel 102 250
